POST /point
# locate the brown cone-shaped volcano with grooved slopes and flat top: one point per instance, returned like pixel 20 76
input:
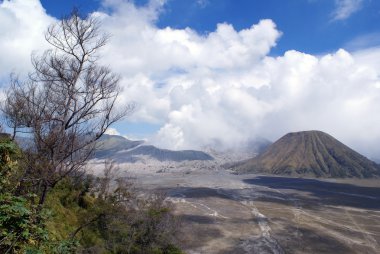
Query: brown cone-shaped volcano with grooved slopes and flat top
pixel 310 153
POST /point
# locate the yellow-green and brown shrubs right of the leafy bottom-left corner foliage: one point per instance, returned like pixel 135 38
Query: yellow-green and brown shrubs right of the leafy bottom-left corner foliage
pixel 108 225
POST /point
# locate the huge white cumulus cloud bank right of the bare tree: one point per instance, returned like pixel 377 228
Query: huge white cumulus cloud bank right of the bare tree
pixel 223 88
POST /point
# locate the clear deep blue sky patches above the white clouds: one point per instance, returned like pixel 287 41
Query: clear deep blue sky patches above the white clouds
pixel 307 25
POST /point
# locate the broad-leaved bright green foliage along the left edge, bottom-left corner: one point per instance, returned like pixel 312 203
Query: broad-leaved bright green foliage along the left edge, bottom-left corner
pixel 21 223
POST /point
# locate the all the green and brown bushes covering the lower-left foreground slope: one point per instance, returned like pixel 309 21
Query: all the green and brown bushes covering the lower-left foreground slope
pixel 82 214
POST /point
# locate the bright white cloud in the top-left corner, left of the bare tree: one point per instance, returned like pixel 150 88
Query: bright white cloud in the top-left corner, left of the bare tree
pixel 22 27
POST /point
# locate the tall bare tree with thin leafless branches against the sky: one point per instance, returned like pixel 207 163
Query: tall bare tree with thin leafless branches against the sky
pixel 66 104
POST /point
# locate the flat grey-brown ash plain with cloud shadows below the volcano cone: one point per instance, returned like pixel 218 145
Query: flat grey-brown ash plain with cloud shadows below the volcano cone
pixel 226 213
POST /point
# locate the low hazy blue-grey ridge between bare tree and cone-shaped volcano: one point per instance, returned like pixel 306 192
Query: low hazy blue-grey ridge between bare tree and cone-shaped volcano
pixel 121 150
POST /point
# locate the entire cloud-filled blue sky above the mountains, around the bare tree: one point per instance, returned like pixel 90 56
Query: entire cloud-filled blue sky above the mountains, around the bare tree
pixel 224 72
